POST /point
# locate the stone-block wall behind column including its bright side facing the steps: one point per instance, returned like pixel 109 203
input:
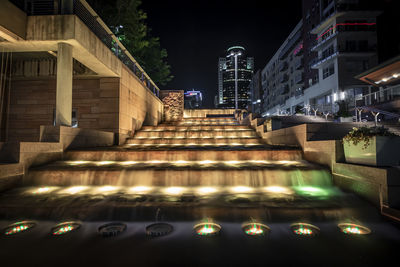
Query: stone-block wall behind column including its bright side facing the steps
pixel 119 105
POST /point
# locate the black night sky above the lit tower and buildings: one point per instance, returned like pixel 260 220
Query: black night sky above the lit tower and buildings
pixel 195 33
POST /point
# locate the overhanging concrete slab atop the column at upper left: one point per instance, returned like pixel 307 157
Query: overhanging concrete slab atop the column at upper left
pixel 45 32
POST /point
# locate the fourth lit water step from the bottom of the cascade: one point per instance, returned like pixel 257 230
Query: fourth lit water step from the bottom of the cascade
pixel 195 134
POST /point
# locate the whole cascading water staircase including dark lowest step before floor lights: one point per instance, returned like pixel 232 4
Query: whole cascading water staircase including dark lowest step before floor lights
pixel 202 163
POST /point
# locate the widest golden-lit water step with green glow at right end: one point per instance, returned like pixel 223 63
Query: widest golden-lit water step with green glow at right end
pixel 180 174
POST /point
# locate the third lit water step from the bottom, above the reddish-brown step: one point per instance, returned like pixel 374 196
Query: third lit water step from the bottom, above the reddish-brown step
pixel 195 141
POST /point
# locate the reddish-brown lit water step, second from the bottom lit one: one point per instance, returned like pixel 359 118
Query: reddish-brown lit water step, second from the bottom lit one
pixel 120 154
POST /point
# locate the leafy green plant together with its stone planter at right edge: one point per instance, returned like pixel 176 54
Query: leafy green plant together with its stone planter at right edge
pixel 375 146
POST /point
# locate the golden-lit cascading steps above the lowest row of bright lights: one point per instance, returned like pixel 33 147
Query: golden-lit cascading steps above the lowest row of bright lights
pixel 192 152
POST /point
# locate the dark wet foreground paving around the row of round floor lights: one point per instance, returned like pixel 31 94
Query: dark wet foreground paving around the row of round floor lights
pixel 182 248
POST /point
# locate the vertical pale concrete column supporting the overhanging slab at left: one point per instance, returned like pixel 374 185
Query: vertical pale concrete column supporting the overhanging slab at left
pixel 64 85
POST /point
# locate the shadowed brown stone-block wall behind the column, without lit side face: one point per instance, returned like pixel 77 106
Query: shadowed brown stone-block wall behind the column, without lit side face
pixel 33 101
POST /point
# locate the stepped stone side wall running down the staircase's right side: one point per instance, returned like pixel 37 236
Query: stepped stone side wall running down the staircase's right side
pixel 380 186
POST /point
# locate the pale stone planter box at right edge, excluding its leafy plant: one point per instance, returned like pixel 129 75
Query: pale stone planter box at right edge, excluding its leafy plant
pixel 382 151
